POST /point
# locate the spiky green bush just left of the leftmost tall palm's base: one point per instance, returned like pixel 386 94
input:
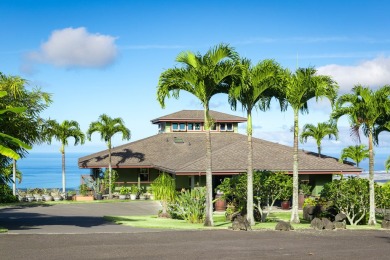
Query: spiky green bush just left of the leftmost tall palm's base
pixel 189 205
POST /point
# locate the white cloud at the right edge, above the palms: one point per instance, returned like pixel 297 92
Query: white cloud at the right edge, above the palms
pixel 374 73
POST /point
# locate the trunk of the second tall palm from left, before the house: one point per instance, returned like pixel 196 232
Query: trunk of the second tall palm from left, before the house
pixel 249 205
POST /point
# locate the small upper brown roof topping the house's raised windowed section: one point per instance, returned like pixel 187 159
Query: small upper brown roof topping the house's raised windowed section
pixel 198 116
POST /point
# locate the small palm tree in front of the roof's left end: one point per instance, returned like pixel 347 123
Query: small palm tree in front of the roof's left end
pixel 108 127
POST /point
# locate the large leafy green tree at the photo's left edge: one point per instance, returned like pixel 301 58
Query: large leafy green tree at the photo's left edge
pixel 25 124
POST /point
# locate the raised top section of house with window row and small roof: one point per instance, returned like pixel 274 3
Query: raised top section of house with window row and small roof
pixel 193 121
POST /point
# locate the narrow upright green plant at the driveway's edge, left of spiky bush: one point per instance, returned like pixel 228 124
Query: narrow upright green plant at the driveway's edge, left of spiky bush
pixel 164 189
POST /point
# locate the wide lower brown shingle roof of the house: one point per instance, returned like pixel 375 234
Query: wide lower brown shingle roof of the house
pixel 229 155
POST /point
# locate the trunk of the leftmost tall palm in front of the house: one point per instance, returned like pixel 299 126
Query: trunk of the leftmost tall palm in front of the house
pixel 209 180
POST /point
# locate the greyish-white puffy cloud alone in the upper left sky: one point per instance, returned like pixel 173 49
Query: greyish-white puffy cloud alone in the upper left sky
pixel 76 47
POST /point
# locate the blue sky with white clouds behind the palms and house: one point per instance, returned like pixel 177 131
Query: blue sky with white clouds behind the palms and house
pixel 106 56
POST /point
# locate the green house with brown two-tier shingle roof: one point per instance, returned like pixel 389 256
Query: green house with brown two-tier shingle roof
pixel 179 149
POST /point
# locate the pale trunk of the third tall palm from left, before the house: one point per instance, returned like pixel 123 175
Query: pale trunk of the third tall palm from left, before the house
pixel 294 211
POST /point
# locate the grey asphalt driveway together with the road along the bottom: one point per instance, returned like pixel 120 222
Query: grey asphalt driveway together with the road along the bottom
pixel 78 231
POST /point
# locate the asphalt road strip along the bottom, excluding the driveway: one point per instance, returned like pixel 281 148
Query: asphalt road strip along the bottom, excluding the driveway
pixel 200 245
